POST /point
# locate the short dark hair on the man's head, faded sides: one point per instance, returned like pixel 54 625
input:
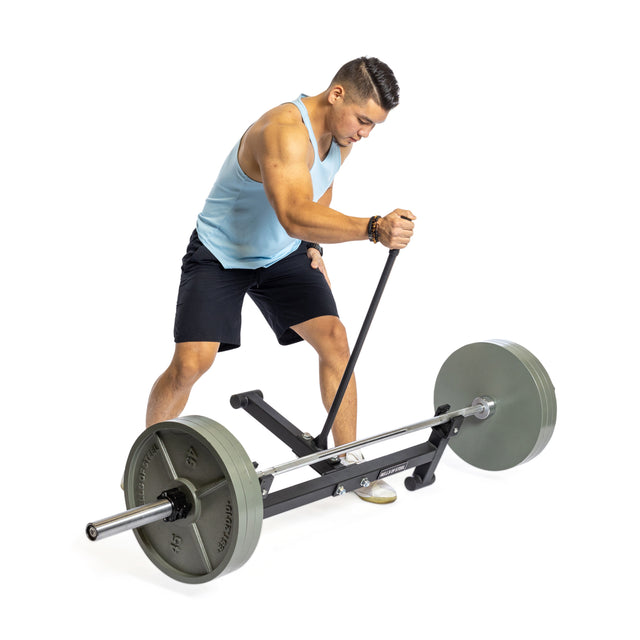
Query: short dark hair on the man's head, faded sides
pixel 370 78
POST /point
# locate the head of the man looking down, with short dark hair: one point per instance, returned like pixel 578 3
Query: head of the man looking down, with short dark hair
pixel 361 96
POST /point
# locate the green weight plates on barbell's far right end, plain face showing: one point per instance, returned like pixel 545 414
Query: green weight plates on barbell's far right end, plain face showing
pixel 525 403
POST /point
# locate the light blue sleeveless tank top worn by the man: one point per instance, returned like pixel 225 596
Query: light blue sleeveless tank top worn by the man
pixel 237 223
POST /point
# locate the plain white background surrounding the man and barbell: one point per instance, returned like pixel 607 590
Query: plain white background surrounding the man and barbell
pixel 516 145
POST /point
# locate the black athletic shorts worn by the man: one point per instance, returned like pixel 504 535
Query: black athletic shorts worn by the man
pixel 210 297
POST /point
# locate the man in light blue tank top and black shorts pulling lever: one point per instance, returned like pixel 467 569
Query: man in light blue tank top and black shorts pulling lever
pixel 259 233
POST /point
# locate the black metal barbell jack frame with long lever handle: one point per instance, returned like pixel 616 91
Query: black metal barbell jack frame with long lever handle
pixel 335 478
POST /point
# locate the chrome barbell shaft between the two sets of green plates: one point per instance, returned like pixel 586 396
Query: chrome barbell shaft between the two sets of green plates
pixel 478 409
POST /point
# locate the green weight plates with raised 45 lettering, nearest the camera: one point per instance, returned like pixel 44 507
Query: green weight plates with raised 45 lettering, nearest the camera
pixel 211 467
